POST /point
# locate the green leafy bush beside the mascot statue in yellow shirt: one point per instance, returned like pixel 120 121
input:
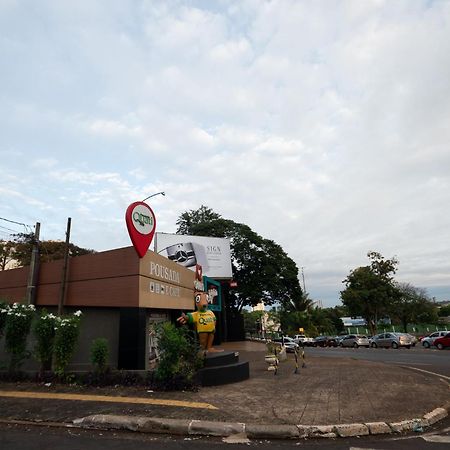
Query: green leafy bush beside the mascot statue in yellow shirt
pixel 179 357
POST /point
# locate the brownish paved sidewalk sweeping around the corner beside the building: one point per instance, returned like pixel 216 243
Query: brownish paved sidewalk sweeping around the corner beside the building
pixel 328 392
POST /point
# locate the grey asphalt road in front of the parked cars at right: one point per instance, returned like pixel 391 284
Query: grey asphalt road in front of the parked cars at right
pixel 430 360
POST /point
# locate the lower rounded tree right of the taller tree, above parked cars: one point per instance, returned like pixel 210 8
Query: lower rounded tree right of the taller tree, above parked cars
pixel 412 305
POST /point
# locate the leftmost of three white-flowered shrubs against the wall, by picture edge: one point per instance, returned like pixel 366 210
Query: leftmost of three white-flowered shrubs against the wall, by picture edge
pixel 17 328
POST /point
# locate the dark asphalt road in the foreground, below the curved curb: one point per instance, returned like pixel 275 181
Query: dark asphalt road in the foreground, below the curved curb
pixel 25 437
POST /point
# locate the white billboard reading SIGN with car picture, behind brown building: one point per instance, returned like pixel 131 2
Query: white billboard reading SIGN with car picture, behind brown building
pixel 213 254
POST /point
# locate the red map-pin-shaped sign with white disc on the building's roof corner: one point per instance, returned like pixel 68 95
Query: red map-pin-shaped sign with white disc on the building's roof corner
pixel 141 224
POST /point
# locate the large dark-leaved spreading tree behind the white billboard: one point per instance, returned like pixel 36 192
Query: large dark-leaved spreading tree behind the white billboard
pixel 263 271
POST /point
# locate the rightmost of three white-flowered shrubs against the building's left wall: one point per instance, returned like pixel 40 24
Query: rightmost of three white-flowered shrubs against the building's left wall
pixel 66 336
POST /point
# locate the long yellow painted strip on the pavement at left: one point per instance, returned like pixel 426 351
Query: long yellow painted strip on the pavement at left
pixel 104 398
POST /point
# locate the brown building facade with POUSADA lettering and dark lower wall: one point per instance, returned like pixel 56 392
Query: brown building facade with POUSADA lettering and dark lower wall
pixel 120 295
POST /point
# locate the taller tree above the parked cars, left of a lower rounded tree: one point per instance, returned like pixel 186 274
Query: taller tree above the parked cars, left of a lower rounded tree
pixel 370 289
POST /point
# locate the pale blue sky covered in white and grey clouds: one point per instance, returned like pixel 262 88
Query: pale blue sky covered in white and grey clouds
pixel 323 125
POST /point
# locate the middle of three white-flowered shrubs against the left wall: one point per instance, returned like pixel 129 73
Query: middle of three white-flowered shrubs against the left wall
pixel 45 329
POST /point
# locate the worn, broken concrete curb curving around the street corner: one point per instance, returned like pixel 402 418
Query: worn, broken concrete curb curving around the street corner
pixel 257 431
